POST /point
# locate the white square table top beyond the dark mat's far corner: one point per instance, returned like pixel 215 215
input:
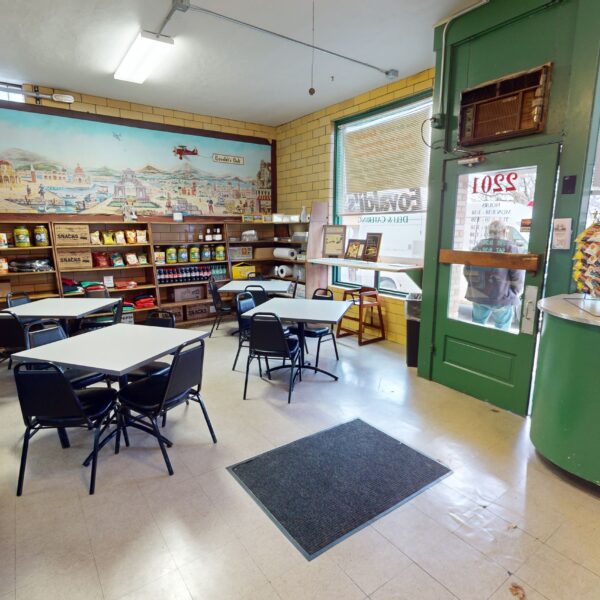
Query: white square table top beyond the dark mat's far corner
pixel 303 310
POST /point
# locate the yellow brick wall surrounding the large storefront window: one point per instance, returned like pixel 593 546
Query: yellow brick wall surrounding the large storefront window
pixel 305 166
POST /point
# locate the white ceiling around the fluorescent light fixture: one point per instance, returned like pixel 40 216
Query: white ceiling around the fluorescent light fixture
pixel 219 68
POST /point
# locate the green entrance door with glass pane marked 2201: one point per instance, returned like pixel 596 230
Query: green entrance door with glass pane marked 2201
pixel 486 317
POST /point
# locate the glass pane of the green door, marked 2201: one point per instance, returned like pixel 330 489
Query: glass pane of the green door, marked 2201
pixel 494 210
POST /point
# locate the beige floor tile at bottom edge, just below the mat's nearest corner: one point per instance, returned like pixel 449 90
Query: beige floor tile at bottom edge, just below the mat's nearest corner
pixel 320 579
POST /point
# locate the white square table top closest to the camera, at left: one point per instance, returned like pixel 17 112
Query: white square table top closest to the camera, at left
pixel 114 350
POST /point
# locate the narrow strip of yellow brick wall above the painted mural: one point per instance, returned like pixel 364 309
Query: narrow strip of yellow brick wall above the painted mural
pixel 152 114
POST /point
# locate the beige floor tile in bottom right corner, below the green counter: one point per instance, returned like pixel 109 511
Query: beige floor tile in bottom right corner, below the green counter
pixel 559 578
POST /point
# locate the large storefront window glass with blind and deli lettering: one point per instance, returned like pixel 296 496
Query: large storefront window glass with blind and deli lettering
pixel 382 167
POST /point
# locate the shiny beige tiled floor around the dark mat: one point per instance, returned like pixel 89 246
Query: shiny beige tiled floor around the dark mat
pixel 503 518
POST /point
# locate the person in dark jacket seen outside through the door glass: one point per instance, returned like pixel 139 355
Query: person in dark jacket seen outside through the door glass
pixel 494 292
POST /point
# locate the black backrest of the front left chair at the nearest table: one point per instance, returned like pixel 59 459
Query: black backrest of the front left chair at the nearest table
pixel 45 393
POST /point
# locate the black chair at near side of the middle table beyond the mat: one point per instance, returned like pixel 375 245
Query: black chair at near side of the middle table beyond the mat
pixel 269 341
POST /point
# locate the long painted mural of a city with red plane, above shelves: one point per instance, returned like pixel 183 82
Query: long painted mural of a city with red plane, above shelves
pixel 55 164
